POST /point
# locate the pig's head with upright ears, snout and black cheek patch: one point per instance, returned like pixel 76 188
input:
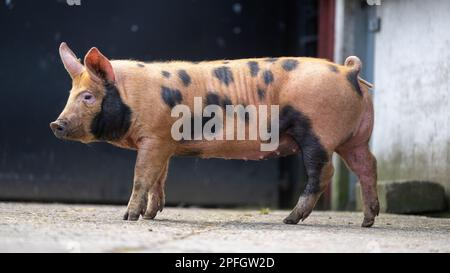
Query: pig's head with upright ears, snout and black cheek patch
pixel 94 110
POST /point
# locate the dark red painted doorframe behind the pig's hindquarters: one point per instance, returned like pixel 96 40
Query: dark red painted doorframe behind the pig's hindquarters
pixel 326 50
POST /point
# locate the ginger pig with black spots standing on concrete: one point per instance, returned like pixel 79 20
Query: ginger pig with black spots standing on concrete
pixel 324 108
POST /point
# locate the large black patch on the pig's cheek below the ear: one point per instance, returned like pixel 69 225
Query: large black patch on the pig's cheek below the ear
pixel 114 118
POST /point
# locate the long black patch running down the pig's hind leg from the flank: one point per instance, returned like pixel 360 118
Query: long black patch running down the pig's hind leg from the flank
pixel 298 126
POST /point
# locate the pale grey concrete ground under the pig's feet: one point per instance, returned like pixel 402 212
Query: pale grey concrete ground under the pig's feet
pixel 94 228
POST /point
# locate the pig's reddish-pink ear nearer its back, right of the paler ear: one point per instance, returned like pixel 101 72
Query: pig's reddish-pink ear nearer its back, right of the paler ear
pixel 98 66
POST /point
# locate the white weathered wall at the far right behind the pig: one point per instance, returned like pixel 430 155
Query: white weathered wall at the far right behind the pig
pixel 412 96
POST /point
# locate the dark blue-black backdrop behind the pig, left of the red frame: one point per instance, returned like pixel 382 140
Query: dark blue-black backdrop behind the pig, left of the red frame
pixel 34 86
